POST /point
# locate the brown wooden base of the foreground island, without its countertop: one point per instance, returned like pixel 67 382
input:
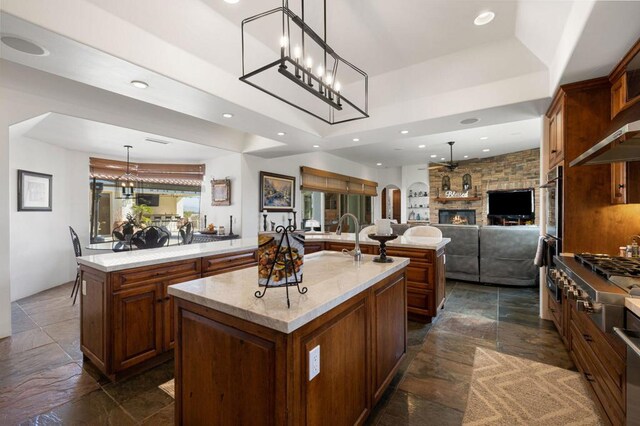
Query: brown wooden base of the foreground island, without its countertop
pixel 232 371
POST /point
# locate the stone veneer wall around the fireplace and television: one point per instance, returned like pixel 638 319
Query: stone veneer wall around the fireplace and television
pixel 509 171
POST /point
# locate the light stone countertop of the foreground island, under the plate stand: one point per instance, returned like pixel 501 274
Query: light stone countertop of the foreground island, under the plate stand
pixel 331 279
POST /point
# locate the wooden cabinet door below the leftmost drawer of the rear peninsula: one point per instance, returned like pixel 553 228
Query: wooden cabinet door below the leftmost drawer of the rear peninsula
pixel 137 334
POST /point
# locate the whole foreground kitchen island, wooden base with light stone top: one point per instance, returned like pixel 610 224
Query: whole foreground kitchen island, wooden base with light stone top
pixel 244 360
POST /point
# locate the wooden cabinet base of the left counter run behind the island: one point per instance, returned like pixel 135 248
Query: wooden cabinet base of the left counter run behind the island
pixel 127 317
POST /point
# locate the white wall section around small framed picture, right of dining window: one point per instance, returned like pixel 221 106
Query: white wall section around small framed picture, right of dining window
pixel 227 166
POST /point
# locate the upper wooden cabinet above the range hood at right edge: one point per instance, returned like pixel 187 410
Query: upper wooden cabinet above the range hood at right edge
pixel 625 81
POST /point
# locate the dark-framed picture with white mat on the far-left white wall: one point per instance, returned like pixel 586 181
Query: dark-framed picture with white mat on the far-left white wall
pixel 35 191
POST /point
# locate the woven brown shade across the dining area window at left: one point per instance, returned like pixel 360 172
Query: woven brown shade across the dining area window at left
pixel 177 174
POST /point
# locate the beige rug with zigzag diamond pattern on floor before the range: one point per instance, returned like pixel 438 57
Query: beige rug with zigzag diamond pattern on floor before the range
pixel 508 390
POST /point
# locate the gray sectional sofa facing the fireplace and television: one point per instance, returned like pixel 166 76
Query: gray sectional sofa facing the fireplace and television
pixel 492 254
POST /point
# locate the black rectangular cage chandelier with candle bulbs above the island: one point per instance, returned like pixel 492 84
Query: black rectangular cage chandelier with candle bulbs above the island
pixel 307 74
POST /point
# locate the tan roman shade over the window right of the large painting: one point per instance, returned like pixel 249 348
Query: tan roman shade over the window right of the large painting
pixel 324 181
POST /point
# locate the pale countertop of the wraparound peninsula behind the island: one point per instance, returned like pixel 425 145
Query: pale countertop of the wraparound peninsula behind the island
pixel 112 262
